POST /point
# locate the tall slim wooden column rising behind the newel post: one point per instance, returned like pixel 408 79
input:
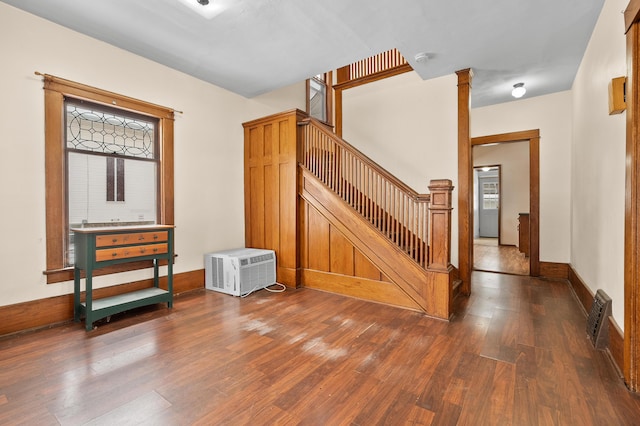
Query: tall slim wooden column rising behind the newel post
pixel 465 180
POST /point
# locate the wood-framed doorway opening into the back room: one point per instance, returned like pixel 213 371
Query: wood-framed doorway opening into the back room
pixel 511 204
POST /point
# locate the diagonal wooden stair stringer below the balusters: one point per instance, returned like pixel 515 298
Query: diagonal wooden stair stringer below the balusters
pixel 430 290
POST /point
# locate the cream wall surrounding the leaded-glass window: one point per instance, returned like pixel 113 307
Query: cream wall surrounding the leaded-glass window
pixel 208 146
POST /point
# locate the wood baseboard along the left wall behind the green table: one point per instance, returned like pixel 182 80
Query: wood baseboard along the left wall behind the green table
pixel 44 313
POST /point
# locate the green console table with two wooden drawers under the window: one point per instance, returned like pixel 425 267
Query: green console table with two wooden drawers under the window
pixel 100 247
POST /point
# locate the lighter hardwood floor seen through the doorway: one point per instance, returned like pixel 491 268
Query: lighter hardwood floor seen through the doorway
pixel 489 256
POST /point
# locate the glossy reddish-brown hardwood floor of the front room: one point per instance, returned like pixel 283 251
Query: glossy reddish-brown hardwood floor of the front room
pixel 515 354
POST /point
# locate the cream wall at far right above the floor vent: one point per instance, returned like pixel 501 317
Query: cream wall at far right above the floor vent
pixel 598 173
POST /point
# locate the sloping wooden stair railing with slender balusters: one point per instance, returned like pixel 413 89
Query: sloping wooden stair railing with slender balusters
pixel 392 207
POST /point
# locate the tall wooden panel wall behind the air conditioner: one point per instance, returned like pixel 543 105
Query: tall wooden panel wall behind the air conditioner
pixel 271 201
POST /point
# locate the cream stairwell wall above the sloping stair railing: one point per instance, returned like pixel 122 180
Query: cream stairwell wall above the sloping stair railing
pixel 409 127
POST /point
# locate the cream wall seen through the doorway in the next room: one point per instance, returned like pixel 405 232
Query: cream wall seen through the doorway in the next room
pixel 513 158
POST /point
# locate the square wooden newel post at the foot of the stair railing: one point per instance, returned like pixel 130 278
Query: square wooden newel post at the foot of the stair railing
pixel 440 225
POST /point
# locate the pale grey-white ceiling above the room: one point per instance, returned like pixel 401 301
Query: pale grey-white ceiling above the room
pixel 251 47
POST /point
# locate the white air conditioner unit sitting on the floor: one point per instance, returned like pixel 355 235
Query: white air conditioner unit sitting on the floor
pixel 240 271
